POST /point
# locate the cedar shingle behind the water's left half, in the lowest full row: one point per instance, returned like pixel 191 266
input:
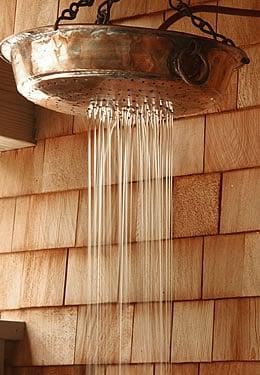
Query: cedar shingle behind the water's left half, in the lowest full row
pixel 99 329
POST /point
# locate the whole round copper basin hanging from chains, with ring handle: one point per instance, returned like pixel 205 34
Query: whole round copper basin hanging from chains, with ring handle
pixel 79 67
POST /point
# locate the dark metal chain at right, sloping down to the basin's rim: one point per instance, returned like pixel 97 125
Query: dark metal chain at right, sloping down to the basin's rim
pixel 199 22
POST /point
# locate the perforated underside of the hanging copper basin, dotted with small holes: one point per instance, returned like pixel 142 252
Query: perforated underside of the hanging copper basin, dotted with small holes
pixel 80 95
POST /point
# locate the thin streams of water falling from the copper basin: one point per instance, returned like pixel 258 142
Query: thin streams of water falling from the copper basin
pixel 130 169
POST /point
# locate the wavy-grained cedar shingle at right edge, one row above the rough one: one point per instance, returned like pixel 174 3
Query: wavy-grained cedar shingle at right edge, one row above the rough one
pixel 232 140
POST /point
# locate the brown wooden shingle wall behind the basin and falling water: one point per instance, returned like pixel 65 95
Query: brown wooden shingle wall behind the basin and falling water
pixel 209 319
